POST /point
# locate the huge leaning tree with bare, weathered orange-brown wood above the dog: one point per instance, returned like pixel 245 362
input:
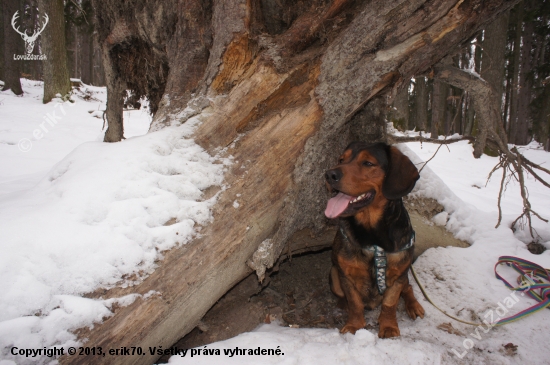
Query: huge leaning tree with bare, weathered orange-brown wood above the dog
pixel 284 86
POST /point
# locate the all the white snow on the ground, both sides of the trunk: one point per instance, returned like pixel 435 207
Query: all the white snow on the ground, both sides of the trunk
pixel 77 214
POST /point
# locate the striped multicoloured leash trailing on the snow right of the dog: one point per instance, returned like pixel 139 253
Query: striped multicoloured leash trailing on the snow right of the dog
pixel 532 278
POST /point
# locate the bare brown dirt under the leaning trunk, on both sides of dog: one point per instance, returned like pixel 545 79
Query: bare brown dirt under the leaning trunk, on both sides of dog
pixel 297 292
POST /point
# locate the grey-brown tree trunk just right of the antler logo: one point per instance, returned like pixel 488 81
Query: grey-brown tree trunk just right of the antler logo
pixel 55 68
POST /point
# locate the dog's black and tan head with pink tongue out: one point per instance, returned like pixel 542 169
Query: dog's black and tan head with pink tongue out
pixel 365 173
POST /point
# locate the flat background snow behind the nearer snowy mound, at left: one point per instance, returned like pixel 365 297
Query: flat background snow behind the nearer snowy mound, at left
pixel 21 168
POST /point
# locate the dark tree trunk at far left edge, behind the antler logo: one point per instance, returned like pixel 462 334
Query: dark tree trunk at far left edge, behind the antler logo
pixel 11 45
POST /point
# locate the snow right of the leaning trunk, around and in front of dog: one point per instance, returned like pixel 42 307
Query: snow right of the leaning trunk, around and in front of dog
pixel 460 280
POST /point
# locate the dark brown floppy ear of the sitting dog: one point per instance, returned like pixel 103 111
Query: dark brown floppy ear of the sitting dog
pixel 401 175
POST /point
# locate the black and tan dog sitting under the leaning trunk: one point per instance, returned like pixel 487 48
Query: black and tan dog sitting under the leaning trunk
pixel 370 181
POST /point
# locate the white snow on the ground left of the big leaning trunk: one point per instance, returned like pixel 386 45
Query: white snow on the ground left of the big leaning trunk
pixel 77 214
